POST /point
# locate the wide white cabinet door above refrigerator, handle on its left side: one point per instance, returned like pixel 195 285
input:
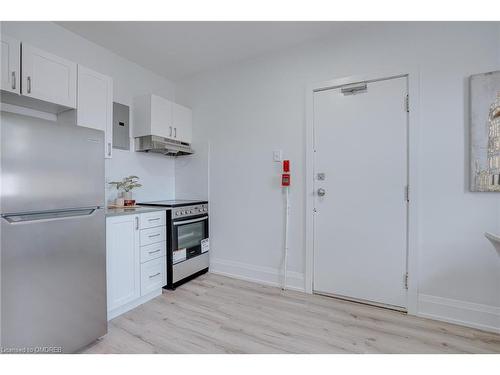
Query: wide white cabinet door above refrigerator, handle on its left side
pixel 48 77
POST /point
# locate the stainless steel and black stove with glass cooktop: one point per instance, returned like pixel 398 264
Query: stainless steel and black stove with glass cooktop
pixel 187 239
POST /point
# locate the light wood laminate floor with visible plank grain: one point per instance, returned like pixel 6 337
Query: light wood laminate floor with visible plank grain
pixel 216 314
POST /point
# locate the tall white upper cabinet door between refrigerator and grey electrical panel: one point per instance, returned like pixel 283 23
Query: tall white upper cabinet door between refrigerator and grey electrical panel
pixel 95 104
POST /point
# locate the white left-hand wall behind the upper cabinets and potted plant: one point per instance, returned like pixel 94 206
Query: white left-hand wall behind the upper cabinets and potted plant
pixel 129 80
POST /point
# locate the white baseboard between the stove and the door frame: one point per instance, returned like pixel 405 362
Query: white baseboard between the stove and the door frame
pixel 257 274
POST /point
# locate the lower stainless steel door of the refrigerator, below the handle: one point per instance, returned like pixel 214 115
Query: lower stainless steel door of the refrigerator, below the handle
pixel 53 280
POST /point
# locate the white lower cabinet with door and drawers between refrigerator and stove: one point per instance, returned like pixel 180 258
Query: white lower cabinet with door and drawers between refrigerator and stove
pixel 135 273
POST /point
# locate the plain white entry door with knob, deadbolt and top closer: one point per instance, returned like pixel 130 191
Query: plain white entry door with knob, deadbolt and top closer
pixel 361 208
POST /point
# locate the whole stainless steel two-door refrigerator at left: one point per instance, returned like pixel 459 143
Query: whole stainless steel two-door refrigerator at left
pixel 53 255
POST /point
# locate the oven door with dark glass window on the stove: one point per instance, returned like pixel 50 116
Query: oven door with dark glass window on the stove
pixel 187 237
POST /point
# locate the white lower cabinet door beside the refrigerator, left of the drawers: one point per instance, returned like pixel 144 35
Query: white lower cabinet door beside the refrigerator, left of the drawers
pixel 123 262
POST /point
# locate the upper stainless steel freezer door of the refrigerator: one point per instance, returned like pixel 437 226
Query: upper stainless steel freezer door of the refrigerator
pixel 46 166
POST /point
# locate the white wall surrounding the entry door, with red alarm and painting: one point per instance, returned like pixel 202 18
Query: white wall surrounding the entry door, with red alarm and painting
pixel 247 110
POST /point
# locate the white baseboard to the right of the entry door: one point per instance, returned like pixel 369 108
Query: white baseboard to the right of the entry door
pixel 484 317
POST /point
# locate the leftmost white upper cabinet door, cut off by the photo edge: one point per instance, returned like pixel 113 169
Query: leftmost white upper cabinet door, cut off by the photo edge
pixel 11 64
